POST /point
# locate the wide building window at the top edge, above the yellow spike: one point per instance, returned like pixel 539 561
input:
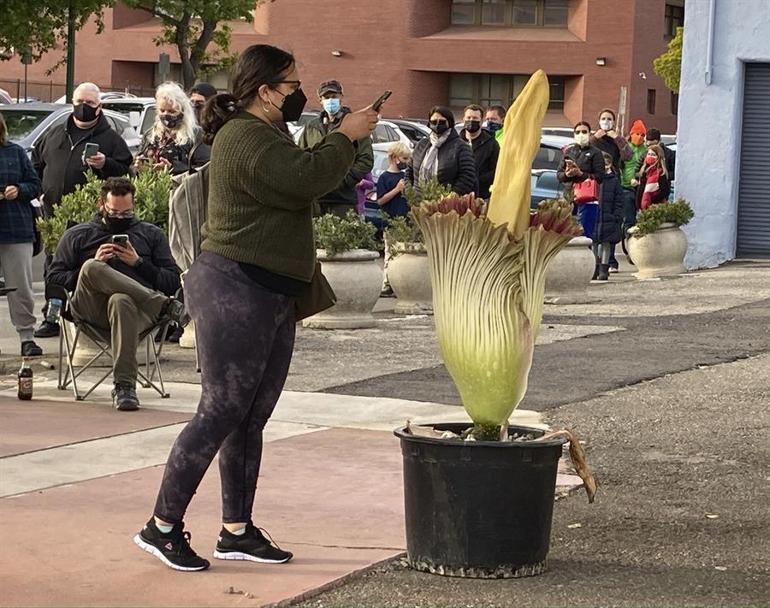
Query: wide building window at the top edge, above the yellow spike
pixel 517 13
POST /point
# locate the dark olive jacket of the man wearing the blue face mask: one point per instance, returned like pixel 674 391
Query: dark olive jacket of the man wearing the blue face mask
pixel 314 133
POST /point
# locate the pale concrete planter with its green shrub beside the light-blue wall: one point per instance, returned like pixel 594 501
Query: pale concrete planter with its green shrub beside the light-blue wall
pixel 657 244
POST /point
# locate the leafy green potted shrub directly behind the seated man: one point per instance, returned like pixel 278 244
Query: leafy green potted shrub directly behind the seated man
pixel 150 205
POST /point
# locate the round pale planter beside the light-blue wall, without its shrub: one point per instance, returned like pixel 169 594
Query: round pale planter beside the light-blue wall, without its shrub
pixel 659 254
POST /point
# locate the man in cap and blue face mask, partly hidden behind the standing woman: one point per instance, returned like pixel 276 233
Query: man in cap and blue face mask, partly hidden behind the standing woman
pixel 343 198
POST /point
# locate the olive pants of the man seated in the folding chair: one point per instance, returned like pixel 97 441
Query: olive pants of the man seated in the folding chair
pixel 115 303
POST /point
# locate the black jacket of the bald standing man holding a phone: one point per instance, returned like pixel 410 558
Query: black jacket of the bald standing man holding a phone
pixel 59 163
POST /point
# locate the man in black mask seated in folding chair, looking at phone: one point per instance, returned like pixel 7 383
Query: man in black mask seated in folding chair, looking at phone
pixel 122 289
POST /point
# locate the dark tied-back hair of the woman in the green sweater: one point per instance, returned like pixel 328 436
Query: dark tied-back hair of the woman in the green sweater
pixel 257 65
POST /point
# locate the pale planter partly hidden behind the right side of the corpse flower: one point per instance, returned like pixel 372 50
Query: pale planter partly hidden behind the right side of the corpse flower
pixel 569 273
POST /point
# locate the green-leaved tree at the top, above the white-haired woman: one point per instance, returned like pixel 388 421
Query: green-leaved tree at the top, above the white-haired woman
pixel 193 26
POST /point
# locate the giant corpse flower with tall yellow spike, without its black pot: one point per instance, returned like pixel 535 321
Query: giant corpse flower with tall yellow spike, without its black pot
pixel 488 271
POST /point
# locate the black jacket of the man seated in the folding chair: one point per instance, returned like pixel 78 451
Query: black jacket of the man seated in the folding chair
pixel 157 271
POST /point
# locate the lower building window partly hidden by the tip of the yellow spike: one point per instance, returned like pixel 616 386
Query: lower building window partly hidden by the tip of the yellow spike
pixel 496 89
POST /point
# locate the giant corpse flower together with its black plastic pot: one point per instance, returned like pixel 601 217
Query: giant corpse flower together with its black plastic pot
pixel 479 497
